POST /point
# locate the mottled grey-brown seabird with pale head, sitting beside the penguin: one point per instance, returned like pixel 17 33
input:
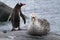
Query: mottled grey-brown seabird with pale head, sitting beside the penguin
pixel 38 26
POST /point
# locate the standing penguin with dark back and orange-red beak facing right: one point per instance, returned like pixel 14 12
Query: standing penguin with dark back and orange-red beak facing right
pixel 15 16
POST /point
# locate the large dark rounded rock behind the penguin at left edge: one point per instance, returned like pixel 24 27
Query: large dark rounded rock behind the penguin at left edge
pixel 4 12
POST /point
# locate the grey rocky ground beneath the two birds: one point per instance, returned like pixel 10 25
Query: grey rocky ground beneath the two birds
pixel 22 35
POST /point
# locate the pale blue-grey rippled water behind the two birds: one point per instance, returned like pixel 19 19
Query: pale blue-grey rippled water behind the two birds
pixel 48 9
